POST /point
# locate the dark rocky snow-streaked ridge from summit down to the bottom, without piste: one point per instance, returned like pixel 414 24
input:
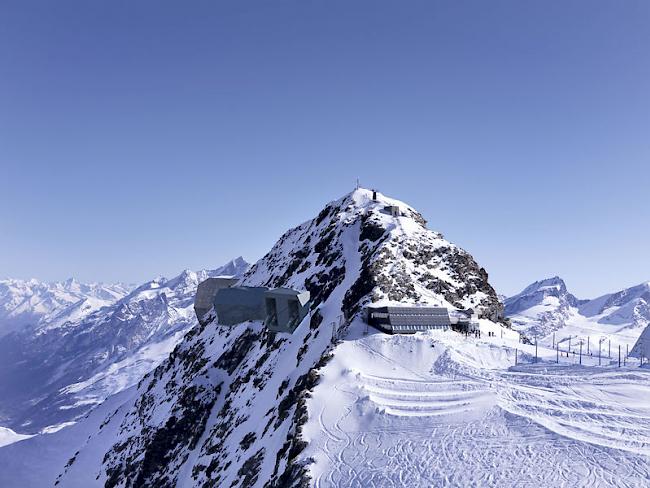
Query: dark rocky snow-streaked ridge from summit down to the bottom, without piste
pixel 227 407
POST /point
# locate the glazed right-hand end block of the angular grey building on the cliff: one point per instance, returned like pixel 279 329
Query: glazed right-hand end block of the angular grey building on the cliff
pixel 285 309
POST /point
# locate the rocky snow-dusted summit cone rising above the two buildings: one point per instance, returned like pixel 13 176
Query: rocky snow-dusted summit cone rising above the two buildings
pixel 387 242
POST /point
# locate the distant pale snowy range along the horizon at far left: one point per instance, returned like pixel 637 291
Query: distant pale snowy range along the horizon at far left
pixel 34 304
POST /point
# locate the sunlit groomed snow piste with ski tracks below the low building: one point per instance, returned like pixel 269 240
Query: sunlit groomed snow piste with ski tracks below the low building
pixel 441 409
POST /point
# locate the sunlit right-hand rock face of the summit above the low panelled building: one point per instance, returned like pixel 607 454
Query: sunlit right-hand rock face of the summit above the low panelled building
pixel 403 261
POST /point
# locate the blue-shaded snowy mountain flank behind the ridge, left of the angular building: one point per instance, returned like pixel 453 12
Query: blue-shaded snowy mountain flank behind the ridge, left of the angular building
pixel 52 374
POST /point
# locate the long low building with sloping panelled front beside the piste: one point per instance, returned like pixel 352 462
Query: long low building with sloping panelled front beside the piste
pixel 406 319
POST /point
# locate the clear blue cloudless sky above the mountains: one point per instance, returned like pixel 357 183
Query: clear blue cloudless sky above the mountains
pixel 140 138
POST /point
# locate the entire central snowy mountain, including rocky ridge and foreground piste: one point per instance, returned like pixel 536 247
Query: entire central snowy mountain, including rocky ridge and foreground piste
pixel 335 404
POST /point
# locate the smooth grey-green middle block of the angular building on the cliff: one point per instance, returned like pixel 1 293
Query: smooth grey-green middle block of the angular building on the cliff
pixel 240 304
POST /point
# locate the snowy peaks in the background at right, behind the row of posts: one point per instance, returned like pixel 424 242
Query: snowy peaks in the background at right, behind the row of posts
pixel 546 307
